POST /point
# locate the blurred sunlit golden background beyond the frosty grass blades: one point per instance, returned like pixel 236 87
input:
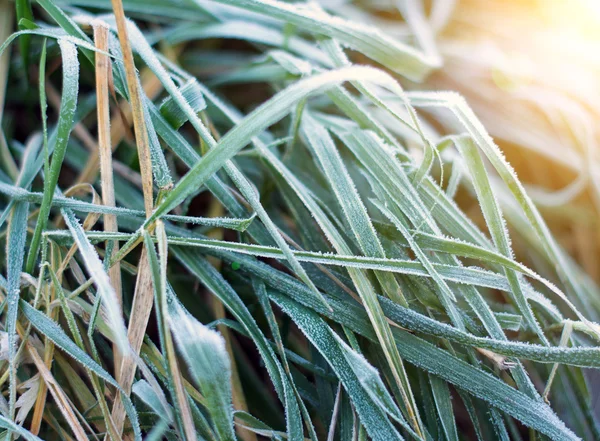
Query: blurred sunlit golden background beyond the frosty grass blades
pixel 530 70
